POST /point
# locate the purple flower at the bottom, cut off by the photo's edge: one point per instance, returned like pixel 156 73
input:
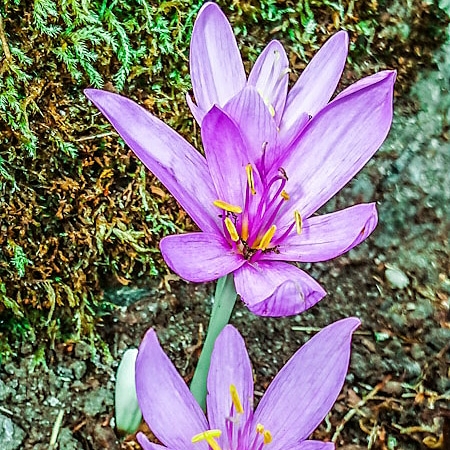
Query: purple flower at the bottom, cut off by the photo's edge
pixel 295 403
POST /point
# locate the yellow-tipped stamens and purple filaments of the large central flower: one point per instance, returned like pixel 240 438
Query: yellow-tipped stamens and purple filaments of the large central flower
pixel 251 229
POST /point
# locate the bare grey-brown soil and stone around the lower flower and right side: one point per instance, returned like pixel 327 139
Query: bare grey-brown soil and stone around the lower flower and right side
pixel 398 387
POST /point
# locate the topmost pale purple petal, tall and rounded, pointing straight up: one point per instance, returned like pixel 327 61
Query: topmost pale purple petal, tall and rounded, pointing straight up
pixel 217 72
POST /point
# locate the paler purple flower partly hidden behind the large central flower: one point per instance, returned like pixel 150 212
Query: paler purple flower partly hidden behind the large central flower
pixel 215 82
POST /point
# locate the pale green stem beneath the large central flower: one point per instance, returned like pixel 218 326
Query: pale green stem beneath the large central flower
pixel 224 300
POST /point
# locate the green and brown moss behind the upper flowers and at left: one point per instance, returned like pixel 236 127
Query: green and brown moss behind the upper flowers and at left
pixel 77 210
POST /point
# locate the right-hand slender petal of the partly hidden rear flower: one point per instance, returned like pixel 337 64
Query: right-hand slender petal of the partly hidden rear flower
pixel 318 81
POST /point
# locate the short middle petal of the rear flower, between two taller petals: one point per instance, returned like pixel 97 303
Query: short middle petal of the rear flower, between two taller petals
pixel 270 76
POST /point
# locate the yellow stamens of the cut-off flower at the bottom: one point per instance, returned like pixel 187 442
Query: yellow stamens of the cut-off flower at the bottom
pixel 238 433
